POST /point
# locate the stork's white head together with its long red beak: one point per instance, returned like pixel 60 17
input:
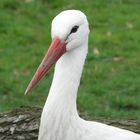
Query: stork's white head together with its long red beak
pixel 69 31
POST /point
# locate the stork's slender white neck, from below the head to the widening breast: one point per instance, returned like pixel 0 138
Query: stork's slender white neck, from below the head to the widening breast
pixel 66 78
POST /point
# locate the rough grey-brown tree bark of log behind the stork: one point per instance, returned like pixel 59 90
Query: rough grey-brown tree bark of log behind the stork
pixel 23 124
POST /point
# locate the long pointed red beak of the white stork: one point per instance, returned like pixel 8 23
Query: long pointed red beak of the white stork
pixel 55 51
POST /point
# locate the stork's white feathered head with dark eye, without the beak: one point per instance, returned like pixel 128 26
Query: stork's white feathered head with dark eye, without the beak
pixel 71 27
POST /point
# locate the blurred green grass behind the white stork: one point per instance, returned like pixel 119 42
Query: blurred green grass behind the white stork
pixel 110 85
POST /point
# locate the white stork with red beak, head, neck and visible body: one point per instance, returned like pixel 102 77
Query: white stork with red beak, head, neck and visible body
pixel 60 119
